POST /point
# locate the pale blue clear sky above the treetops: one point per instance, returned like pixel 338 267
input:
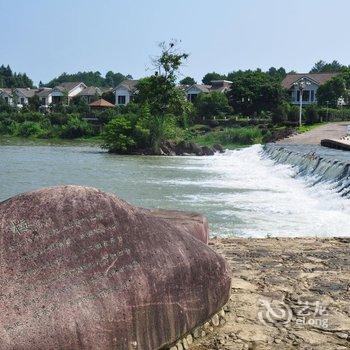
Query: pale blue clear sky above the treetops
pixel 45 38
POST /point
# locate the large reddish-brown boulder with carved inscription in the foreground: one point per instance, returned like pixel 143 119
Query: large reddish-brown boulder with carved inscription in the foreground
pixel 82 269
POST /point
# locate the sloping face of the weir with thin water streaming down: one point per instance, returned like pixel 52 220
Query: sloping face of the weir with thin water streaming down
pixel 316 167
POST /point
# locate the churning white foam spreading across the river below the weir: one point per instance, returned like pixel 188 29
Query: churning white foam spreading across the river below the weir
pixel 264 198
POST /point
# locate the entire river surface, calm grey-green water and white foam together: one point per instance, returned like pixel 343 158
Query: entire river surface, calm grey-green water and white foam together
pixel 241 192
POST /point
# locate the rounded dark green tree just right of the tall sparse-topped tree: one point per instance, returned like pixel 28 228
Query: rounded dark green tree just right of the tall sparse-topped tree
pixel 212 104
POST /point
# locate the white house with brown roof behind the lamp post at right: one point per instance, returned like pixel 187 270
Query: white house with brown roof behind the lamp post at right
pixel 313 82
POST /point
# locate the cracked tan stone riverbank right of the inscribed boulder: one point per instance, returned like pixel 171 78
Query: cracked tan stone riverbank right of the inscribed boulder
pixel 306 279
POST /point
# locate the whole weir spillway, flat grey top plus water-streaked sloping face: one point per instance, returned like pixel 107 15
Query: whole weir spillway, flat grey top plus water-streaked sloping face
pixel 319 164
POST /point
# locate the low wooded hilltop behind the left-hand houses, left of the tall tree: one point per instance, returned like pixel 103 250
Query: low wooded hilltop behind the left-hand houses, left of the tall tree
pixel 111 79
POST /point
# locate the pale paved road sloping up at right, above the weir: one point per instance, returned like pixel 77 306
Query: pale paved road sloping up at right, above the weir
pixel 314 137
